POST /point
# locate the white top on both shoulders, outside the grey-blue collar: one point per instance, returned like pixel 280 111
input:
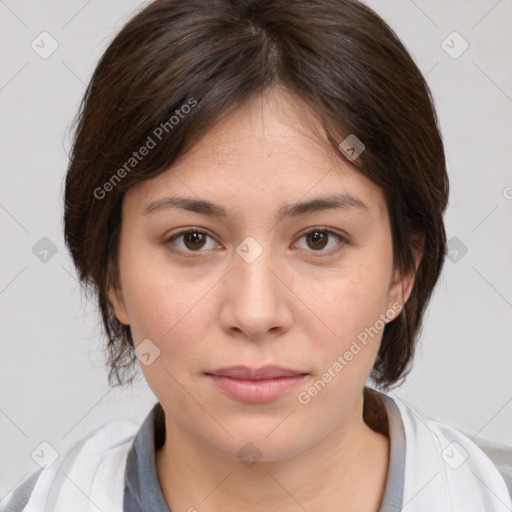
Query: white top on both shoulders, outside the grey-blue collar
pixel 444 470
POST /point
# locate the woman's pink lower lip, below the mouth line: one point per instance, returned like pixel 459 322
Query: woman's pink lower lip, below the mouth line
pixel 256 391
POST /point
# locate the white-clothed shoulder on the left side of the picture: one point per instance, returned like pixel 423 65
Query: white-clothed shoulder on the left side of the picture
pixel 94 465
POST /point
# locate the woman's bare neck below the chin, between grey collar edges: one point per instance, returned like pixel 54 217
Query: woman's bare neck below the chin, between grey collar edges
pixel 348 467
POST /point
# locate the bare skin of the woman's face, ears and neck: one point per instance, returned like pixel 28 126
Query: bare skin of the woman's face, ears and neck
pixel 293 306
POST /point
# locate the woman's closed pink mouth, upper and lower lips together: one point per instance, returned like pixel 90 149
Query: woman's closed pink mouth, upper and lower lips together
pixel 255 385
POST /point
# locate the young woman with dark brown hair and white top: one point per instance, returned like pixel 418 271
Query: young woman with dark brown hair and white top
pixel 256 195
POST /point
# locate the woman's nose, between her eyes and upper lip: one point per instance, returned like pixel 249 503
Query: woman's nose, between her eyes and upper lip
pixel 257 300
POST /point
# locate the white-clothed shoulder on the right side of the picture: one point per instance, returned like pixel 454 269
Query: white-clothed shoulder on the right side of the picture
pixel 450 467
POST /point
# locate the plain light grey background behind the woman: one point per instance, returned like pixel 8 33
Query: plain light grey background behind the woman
pixel 53 383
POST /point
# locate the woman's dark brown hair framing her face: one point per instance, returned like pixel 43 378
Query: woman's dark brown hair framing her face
pixel 338 56
